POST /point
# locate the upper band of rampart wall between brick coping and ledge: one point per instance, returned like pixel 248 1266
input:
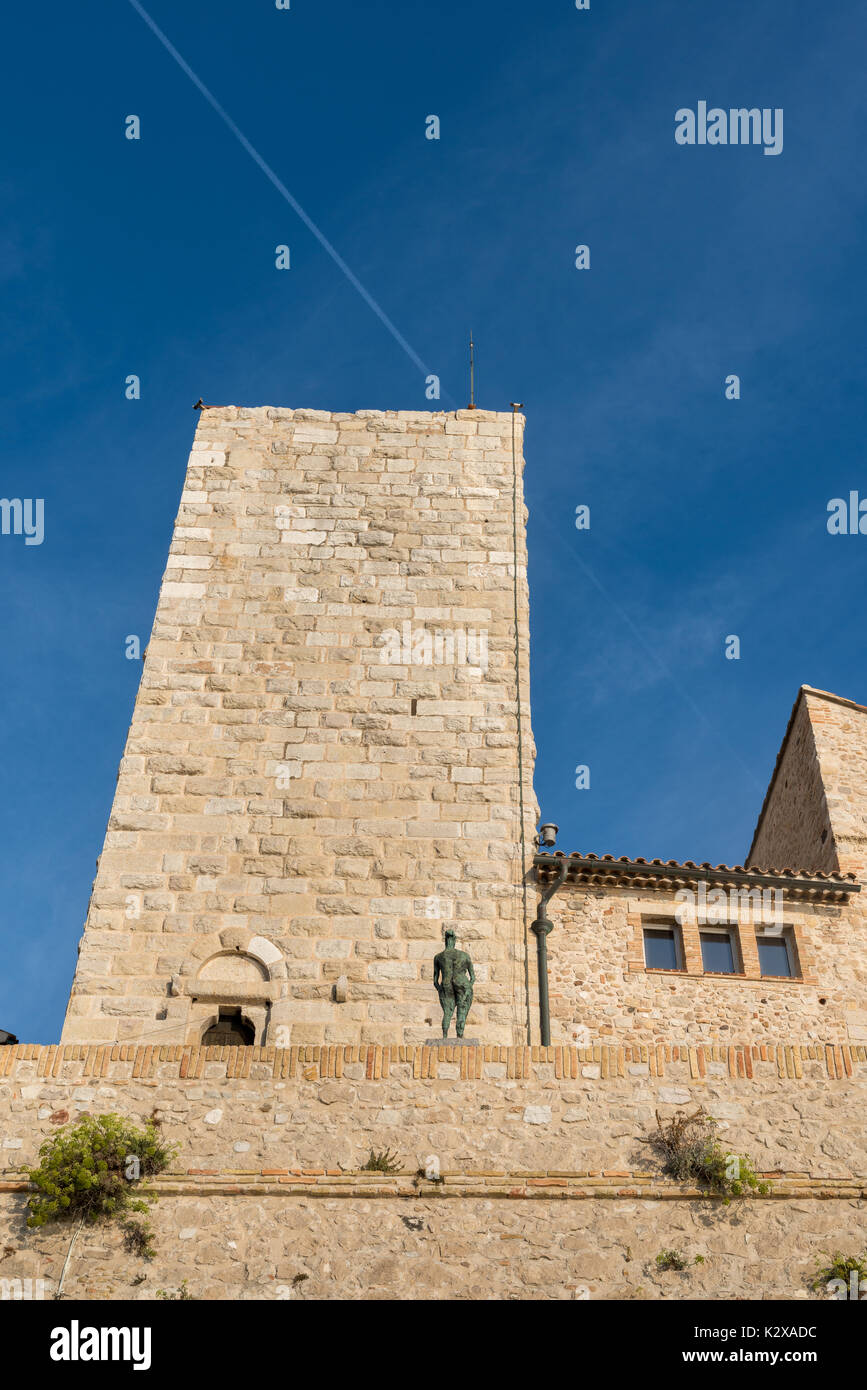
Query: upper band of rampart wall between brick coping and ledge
pixel 509 1115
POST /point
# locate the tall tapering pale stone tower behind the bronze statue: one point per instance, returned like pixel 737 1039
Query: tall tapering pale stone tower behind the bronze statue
pixel 330 758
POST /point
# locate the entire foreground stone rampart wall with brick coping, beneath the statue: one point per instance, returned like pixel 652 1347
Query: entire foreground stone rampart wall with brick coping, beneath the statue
pixel 548 1189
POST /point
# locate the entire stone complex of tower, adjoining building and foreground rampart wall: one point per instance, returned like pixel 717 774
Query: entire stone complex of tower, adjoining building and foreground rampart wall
pixel 331 762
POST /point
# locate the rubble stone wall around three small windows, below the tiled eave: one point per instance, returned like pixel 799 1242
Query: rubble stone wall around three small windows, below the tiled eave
pixel 600 985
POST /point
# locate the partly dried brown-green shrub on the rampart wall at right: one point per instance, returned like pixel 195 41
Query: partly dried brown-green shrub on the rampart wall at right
pixel 691 1152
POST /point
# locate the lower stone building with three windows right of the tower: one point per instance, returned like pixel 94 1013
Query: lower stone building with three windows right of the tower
pixel 775 947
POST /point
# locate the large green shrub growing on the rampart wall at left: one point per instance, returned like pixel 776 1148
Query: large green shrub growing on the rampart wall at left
pixel 91 1170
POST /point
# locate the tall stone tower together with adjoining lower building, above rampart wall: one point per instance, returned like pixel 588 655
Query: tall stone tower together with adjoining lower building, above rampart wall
pixel 331 760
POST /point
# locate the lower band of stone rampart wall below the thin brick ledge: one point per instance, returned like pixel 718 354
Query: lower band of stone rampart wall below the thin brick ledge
pixel 356 1248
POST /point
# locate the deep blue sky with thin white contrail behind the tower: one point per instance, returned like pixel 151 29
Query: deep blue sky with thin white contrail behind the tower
pixel 708 516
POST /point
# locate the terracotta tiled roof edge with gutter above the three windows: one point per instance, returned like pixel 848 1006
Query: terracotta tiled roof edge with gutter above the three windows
pixel 602 869
